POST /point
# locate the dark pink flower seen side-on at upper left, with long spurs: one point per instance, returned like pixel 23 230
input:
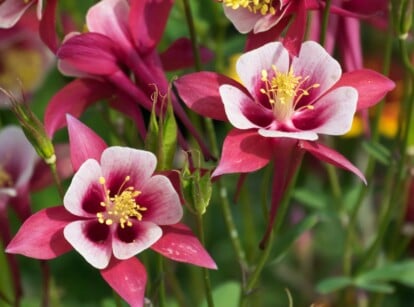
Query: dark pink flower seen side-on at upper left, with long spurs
pixel 121 41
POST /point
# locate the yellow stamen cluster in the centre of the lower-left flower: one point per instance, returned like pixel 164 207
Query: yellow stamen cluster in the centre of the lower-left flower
pixel 121 207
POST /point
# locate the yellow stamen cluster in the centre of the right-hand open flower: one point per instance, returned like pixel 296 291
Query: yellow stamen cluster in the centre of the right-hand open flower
pixel 284 92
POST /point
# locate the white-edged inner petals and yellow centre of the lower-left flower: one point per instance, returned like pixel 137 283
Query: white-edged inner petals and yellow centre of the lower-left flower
pixel 120 209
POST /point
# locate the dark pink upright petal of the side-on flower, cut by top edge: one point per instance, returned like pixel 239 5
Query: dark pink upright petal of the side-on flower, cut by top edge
pixel 145 29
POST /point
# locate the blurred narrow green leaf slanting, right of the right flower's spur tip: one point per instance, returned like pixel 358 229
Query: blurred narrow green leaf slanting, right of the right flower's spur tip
pixel 285 240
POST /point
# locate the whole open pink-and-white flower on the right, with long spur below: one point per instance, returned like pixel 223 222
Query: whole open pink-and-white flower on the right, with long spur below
pixel 281 108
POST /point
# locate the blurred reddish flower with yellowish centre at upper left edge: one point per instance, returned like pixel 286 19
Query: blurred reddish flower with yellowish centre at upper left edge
pixel 24 59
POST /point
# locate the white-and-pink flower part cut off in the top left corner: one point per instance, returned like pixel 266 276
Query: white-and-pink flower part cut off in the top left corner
pixel 12 10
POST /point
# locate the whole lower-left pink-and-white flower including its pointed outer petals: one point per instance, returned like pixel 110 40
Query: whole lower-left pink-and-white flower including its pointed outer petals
pixel 113 210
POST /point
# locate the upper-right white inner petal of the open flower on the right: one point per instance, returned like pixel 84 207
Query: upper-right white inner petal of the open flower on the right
pixel 318 66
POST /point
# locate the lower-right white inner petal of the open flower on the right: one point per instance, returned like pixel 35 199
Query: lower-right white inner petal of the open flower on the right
pixel 332 114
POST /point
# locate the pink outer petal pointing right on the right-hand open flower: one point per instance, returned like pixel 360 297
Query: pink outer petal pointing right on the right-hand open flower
pixel 371 86
